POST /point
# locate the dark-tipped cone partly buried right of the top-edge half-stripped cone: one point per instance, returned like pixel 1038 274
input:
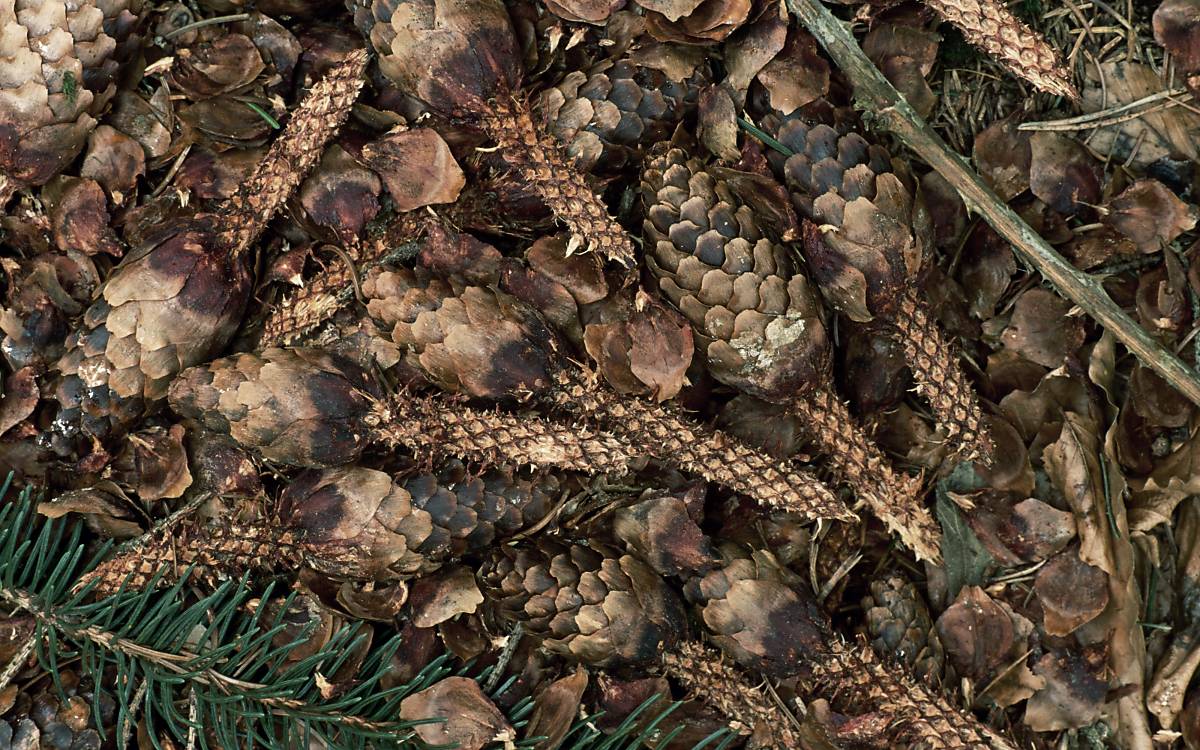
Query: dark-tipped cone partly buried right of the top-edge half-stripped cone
pixel 608 115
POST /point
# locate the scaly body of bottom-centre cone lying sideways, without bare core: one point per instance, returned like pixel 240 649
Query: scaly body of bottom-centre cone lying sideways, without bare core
pixel 589 602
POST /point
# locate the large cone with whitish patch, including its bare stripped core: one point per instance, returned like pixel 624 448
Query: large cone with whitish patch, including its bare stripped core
pixel 760 326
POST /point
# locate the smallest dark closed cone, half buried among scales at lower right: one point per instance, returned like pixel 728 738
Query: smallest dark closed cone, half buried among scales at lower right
pixel 901 628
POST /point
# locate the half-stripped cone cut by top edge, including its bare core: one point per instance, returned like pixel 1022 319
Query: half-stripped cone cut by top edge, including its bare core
pixel 463 59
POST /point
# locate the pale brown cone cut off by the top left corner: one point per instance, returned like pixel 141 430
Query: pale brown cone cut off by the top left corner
pixel 61 62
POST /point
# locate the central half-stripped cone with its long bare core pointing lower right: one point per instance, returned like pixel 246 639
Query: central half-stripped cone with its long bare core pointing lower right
pixel 488 345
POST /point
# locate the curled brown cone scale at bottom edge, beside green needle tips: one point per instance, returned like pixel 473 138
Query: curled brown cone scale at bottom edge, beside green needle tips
pixel 472 721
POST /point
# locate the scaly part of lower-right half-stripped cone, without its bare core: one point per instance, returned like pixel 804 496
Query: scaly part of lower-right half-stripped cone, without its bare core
pixel 757 611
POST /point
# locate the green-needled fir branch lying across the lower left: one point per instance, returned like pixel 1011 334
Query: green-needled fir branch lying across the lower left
pixel 211 674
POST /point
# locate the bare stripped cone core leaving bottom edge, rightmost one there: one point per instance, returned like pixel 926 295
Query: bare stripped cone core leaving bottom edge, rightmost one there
pixel 861 682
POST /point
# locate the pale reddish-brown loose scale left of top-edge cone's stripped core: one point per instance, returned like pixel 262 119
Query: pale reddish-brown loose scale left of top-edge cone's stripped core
pixel 417 167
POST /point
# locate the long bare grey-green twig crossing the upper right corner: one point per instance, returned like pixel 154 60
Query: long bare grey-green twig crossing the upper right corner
pixel 885 106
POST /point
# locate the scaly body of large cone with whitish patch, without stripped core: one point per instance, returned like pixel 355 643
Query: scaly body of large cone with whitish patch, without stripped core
pixel 754 316
